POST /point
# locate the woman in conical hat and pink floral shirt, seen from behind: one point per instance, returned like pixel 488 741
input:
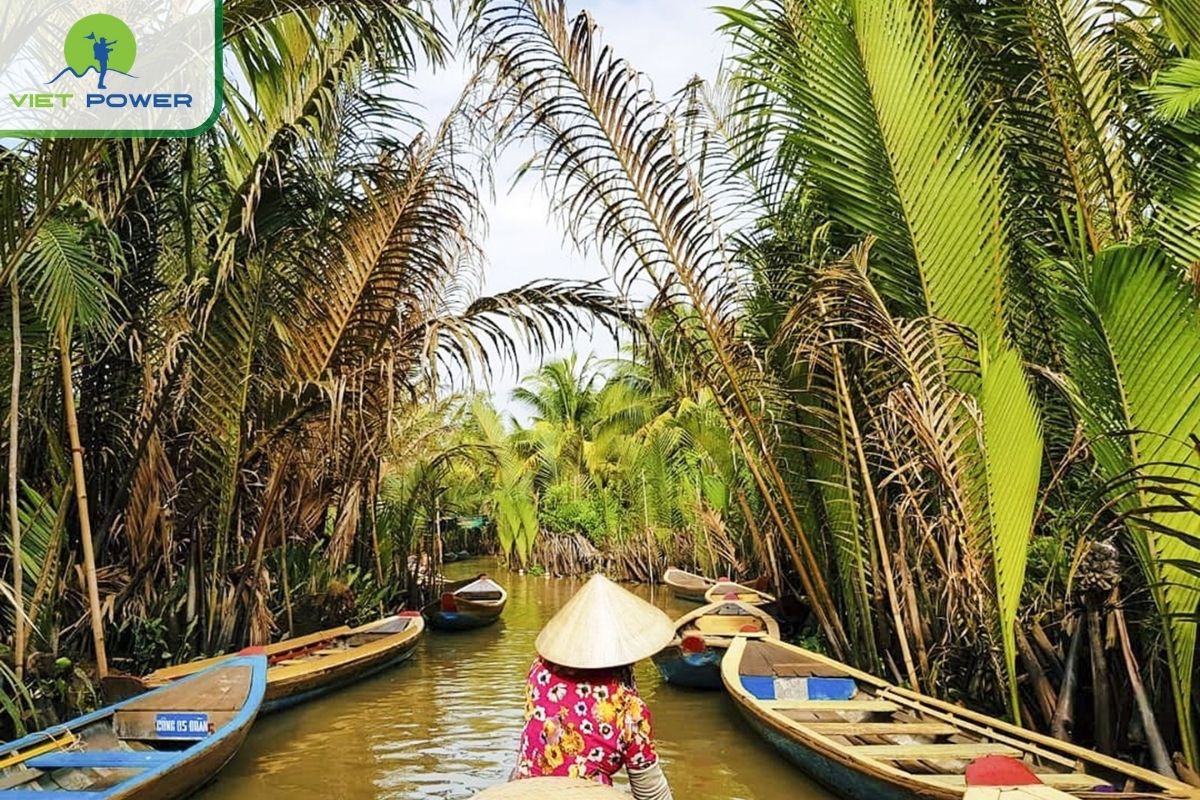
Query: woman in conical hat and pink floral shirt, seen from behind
pixel 584 715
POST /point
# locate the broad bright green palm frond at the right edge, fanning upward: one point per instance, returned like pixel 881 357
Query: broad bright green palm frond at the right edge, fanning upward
pixel 1135 351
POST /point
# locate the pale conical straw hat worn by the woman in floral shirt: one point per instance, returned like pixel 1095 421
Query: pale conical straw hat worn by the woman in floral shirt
pixel 604 627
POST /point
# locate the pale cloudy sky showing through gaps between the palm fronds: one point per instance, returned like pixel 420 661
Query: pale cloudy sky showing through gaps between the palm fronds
pixel 668 40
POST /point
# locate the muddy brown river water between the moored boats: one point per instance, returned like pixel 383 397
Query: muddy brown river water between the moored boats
pixel 446 724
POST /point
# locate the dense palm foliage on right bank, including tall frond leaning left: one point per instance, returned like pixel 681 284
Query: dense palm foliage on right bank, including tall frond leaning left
pixel 937 264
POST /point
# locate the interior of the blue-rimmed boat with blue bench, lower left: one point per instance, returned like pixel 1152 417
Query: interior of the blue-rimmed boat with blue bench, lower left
pixel 117 745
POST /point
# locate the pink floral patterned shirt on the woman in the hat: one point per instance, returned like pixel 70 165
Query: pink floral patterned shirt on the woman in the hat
pixel 584 725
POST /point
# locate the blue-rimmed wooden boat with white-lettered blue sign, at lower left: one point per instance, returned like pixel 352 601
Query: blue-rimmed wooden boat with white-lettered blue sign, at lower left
pixel 158 747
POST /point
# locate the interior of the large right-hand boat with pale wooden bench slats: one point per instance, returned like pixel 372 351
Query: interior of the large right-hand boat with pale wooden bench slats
pixel 892 727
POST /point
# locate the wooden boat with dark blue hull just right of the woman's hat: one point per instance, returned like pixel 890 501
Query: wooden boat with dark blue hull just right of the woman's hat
pixel 694 657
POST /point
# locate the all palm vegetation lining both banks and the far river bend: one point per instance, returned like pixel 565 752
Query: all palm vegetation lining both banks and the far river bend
pixel 919 333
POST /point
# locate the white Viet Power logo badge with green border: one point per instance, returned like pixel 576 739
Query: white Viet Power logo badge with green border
pixel 111 68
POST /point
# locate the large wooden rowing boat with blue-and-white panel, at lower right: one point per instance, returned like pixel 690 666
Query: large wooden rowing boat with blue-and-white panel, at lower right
pixel 867 739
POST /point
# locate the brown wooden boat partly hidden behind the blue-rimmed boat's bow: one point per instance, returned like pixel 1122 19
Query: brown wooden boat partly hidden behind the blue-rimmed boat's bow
pixel 311 666
